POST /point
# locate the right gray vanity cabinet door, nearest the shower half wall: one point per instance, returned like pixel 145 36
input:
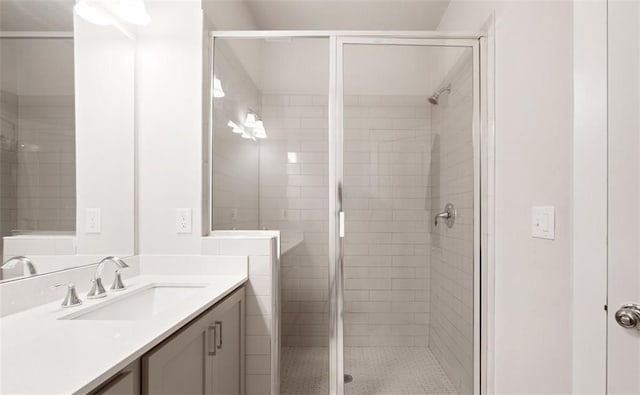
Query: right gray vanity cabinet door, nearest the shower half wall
pixel 228 363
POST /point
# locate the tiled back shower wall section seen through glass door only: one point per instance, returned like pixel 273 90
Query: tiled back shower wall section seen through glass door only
pixel 387 147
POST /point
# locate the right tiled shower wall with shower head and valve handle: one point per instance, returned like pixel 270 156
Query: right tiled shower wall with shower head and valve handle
pixel 451 336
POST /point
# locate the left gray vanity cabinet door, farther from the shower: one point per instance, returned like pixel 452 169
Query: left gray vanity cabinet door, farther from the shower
pixel 181 364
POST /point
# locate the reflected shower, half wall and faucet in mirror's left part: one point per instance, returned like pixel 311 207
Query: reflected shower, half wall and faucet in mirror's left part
pixel 37 149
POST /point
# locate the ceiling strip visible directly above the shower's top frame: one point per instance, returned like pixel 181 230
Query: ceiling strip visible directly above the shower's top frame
pixel 327 15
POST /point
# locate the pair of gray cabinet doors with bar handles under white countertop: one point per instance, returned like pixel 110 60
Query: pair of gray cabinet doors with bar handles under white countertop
pixel 205 357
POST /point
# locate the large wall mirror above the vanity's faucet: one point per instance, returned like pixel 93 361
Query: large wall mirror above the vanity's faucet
pixel 66 139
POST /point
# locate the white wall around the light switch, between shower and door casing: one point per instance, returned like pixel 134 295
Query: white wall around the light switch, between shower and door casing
pixel 534 122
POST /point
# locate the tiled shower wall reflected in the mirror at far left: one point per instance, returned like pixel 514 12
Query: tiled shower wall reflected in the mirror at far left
pixel 37 151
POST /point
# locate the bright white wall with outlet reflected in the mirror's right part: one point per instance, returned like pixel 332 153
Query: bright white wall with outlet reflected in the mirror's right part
pixel 104 89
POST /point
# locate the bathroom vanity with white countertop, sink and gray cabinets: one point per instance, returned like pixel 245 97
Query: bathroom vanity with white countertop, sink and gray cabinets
pixel 162 334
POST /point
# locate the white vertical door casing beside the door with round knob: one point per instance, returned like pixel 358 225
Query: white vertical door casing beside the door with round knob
pixel 590 197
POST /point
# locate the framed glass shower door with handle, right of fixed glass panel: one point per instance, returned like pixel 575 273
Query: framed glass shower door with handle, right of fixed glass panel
pixel 406 171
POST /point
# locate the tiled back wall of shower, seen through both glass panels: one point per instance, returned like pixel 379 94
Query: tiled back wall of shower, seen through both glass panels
pixel 387 151
